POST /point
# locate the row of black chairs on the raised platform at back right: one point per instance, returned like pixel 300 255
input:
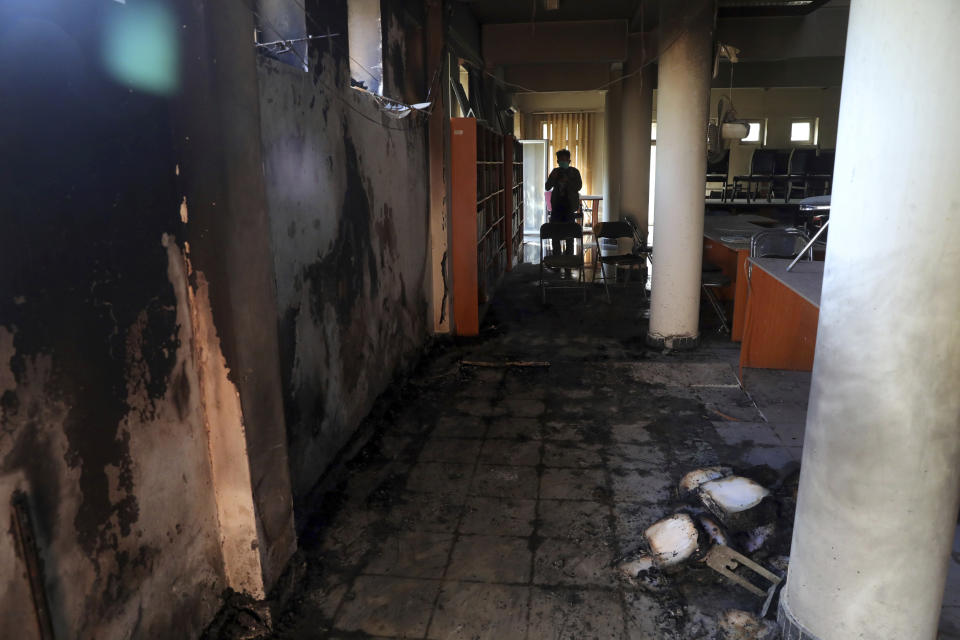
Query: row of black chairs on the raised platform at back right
pixel 790 172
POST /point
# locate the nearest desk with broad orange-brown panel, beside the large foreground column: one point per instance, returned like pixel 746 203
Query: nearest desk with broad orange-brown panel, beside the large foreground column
pixel 783 309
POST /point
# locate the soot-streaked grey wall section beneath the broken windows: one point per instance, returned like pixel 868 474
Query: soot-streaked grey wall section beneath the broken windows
pixel 347 192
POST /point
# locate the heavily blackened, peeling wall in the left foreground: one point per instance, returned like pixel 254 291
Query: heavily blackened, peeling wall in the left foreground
pixel 100 417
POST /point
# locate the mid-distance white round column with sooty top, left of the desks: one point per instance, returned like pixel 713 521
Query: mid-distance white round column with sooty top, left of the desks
pixel 683 95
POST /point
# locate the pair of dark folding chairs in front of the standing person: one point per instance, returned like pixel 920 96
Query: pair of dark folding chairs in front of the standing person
pixel 572 232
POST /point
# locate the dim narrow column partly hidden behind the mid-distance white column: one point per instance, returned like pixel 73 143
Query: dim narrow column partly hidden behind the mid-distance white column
pixel 635 145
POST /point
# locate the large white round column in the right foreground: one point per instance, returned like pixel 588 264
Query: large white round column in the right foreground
pixel 880 479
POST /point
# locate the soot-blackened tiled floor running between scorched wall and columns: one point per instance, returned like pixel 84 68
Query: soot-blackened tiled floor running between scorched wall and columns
pixel 496 502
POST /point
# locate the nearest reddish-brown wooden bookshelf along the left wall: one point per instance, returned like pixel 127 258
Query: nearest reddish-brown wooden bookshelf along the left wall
pixel 485 212
